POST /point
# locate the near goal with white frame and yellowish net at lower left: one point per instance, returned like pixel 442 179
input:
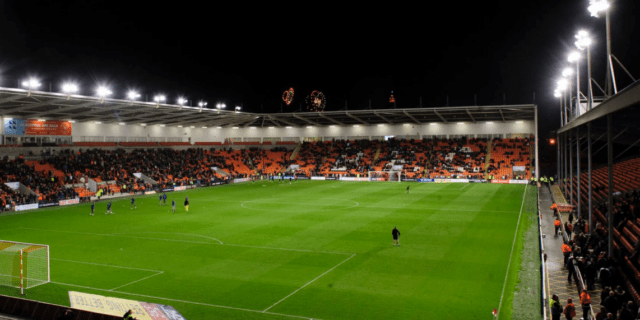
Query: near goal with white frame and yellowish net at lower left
pixel 23 265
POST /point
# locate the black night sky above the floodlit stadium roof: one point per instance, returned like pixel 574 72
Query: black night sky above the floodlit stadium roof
pixel 239 52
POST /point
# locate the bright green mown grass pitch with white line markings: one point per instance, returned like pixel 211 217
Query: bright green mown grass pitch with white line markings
pixel 313 249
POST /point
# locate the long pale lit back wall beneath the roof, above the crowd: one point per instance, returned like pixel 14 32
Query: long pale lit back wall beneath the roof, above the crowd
pixel 89 131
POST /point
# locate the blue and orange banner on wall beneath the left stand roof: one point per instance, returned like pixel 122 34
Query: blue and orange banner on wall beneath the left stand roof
pixel 36 127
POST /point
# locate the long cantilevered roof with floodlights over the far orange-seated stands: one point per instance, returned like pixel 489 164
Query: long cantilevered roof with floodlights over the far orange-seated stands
pixel 19 103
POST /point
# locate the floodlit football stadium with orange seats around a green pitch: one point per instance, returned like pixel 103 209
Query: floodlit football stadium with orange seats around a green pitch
pixel 127 204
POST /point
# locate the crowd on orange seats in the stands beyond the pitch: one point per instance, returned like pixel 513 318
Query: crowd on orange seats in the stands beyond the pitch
pixel 66 174
